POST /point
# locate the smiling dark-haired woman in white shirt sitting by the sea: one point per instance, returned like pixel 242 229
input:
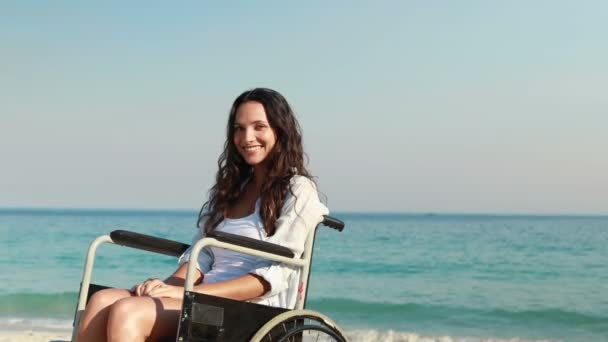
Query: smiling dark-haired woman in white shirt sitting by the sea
pixel 262 191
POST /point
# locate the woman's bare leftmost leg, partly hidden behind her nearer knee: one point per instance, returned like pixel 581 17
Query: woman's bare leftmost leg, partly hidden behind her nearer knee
pixel 93 324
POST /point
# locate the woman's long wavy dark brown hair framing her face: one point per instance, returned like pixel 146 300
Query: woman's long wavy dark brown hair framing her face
pixel 286 160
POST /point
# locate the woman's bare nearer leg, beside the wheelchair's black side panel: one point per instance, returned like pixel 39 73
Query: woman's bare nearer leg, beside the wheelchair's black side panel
pixel 143 318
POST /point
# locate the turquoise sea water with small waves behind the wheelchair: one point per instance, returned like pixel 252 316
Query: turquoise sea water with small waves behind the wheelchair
pixel 469 277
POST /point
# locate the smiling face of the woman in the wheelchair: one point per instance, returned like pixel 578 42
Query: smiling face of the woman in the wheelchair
pixel 253 136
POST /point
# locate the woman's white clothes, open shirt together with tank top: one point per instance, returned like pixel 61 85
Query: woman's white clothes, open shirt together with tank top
pixel 300 214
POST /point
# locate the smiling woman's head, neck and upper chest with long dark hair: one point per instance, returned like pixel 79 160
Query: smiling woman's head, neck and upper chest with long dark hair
pixel 262 153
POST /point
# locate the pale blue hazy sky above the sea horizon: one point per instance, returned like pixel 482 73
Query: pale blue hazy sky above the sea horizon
pixel 405 106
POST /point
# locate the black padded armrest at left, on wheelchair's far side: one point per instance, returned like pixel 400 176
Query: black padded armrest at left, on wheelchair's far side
pixel 148 243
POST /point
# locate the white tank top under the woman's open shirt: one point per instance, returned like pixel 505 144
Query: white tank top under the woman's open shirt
pixel 229 264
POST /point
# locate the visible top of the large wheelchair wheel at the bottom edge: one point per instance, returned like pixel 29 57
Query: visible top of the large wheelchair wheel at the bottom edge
pixel 299 326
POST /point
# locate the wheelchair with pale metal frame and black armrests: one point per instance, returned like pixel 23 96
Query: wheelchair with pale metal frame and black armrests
pixel 209 318
